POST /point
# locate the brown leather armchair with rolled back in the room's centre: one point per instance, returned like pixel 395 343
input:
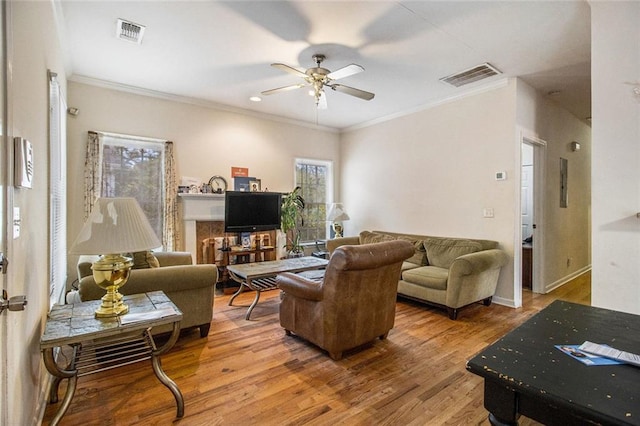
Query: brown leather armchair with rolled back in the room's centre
pixel 353 304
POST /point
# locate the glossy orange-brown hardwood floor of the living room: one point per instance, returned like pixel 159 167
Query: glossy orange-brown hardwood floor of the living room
pixel 251 373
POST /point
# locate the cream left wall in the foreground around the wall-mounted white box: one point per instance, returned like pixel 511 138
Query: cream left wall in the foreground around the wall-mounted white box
pixel 33 41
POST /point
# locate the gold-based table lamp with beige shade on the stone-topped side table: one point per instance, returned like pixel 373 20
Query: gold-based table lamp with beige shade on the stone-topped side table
pixel 115 226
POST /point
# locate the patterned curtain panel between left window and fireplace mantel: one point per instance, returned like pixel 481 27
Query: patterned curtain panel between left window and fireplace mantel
pixel 170 234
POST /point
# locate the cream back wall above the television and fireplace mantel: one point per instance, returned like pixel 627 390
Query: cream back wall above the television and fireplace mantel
pixel 207 141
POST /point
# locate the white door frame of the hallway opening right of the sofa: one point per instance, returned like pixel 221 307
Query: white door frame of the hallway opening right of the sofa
pixel 539 182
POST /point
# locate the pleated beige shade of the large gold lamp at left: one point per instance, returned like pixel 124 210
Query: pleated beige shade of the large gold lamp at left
pixel 116 225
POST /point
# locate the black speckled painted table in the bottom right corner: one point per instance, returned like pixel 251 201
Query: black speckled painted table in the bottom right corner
pixel 526 375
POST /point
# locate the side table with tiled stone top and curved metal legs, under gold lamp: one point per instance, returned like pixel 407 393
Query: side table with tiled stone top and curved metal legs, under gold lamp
pixel 100 344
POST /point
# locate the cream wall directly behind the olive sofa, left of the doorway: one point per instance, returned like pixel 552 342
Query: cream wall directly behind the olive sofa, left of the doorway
pixel 433 173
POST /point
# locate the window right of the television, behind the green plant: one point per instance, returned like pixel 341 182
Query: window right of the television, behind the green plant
pixel 315 177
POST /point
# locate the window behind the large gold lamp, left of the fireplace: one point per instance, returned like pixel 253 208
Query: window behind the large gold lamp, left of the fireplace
pixel 134 167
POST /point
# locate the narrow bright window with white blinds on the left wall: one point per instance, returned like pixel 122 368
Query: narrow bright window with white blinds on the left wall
pixel 57 192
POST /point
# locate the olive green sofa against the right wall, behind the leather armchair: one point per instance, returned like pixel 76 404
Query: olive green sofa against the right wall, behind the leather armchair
pixel 445 272
